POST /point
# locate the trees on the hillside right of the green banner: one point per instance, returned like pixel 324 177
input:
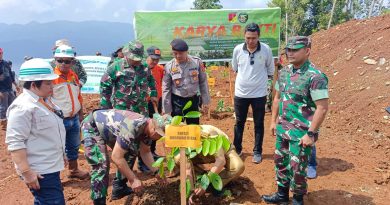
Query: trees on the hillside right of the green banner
pixel 305 17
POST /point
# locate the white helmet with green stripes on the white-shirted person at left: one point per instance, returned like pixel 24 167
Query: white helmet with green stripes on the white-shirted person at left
pixel 36 69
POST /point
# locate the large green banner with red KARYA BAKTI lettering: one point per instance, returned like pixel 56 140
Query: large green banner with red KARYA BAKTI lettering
pixel 210 34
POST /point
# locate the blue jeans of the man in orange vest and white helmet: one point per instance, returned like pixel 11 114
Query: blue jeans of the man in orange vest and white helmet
pixel 72 142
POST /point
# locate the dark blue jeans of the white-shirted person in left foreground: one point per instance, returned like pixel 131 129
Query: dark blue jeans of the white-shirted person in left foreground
pixel 50 192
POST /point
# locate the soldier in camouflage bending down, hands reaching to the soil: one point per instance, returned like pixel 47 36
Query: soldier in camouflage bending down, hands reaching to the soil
pixel 129 135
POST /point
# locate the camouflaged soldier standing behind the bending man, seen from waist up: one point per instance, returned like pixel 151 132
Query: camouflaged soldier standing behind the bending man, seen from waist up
pixel 127 83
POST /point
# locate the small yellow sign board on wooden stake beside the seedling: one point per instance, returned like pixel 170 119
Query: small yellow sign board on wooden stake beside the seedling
pixel 182 136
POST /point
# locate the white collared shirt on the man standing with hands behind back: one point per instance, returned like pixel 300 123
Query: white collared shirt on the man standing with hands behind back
pixel 251 80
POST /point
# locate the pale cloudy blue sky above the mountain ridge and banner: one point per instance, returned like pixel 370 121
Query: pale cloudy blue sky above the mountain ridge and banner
pixel 22 11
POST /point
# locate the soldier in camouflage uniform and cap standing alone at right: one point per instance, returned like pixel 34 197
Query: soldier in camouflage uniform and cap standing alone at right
pixel 299 108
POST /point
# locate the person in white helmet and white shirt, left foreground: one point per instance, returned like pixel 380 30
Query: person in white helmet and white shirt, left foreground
pixel 36 134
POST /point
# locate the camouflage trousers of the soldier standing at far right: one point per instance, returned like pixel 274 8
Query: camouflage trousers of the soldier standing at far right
pixel 291 161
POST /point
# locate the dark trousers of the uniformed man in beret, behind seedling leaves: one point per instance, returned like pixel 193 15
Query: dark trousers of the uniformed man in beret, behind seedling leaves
pixel 178 104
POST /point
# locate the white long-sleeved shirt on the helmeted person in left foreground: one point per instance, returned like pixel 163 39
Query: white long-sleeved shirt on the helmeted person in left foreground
pixel 41 132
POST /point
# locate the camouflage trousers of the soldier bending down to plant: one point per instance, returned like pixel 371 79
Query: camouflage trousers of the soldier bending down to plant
pixel 96 154
